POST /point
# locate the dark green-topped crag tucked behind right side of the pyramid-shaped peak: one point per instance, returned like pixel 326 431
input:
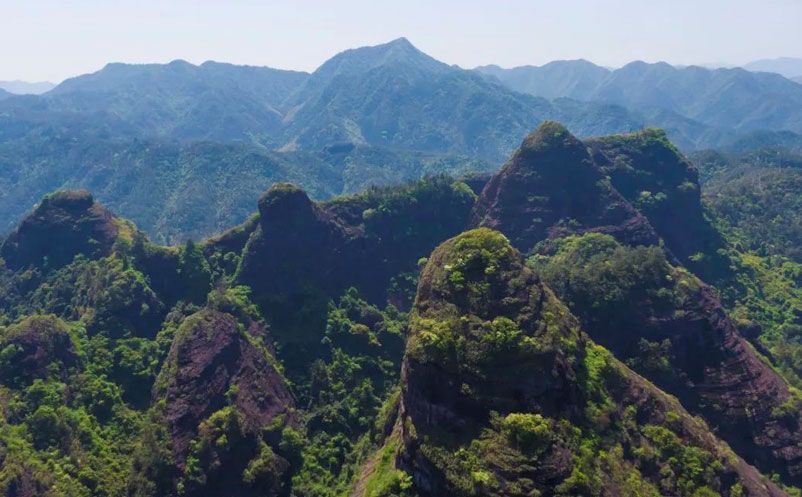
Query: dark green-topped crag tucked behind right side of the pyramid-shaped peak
pixel 664 186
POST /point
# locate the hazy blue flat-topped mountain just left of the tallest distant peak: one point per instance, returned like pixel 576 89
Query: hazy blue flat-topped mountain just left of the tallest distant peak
pixel 179 100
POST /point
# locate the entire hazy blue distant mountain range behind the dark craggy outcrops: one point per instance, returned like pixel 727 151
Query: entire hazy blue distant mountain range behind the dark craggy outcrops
pixel 389 112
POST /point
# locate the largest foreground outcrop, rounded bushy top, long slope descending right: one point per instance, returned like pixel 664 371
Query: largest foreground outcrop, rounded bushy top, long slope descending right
pixel 504 395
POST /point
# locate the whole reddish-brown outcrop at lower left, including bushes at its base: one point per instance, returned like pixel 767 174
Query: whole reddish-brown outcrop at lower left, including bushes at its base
pixel 220 380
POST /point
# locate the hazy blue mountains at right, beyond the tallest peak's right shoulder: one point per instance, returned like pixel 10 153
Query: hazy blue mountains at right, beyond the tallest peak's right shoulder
pixel 683 100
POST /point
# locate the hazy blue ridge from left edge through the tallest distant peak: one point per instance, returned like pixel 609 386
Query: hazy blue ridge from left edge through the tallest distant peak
pixel 390 95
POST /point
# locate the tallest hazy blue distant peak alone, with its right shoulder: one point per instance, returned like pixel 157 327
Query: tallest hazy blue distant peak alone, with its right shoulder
pixel 395 95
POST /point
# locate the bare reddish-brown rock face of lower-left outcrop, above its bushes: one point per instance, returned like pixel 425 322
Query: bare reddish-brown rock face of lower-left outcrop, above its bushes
pixel 210 355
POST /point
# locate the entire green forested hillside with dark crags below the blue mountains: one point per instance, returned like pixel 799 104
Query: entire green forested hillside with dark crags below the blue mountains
pixel 542 331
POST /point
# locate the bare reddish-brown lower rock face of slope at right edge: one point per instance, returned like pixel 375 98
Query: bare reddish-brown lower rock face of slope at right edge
pixel 716 373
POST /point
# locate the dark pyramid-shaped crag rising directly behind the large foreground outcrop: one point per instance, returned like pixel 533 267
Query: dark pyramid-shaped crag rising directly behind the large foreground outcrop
pixel 551 187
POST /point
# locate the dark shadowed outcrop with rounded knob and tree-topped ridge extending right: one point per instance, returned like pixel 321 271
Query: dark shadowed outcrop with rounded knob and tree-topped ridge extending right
pixel 302 254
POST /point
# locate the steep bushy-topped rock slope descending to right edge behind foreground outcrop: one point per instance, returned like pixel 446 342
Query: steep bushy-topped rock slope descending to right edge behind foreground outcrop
pixel 672 329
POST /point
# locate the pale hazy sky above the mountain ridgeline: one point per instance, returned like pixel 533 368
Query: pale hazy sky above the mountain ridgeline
pixel 55 39
